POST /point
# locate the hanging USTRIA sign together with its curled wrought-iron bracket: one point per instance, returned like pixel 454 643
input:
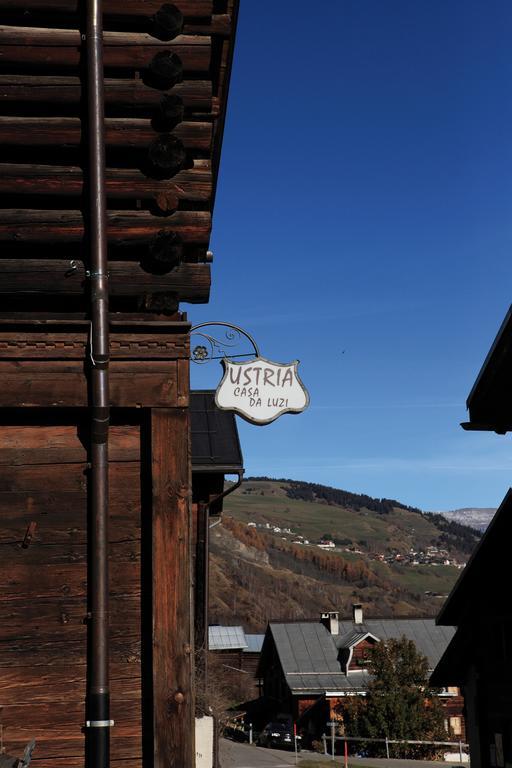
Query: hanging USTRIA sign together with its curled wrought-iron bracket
pixel 258 389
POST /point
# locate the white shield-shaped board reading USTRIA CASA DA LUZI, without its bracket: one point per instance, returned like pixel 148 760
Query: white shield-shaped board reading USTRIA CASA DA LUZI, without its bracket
pixel 260 390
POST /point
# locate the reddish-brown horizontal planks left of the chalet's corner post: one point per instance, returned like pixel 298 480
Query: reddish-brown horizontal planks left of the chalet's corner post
pixel 43 592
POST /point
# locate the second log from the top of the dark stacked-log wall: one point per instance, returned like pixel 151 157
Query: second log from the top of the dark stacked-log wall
pixel 133 50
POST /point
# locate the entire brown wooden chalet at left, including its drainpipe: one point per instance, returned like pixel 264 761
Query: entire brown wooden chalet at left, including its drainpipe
pixel 105 222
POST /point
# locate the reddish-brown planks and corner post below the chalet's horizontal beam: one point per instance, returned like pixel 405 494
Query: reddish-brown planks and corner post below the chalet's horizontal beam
pixel 43 589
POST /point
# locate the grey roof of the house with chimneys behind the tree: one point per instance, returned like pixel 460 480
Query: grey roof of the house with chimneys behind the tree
pixel 308 653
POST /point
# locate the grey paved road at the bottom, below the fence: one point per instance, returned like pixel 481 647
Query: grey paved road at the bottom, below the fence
pixel 234 755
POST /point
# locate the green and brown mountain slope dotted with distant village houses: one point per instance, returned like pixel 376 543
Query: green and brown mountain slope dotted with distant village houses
pixel 266 562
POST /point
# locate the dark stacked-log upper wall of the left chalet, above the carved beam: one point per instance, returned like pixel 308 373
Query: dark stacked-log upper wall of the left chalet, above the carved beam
pixel 165 71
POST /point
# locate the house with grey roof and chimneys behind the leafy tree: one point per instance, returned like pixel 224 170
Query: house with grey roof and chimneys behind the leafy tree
pixel 307 668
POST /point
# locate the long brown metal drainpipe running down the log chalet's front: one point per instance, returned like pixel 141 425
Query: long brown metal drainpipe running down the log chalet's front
pixel 98 693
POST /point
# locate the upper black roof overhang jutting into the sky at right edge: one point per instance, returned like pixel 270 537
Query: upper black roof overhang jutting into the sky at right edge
pixel 490 402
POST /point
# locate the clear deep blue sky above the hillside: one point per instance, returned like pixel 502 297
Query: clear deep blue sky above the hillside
pixel 363 225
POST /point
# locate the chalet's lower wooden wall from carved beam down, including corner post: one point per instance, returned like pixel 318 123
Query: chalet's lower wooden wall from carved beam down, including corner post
pixel 44 480
